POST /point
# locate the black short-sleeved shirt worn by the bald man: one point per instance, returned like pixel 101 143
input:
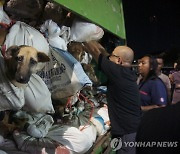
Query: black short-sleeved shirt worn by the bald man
pixel 122 96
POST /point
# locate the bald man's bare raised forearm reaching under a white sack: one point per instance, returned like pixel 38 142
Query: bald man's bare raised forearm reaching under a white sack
pixel 95 49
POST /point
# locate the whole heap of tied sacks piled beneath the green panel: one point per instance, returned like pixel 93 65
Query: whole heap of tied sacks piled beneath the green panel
pixel 62 77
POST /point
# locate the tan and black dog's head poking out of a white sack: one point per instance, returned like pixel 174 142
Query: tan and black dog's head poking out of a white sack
pixel 21 62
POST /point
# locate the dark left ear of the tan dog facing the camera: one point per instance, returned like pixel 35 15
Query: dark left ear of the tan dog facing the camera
pixel 11 51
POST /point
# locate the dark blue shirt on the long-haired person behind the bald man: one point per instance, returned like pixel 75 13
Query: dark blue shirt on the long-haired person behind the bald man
pixel 153 92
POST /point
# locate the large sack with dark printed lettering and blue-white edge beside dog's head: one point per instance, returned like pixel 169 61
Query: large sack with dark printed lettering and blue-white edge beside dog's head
pixel 63 74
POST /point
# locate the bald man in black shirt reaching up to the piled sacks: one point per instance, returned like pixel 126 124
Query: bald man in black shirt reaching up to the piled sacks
pixel 122 94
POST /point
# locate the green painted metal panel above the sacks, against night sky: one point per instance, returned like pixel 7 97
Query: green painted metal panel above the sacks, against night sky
pixel 106 13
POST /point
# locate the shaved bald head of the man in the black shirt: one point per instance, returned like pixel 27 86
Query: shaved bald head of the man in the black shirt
pixel 125 53
